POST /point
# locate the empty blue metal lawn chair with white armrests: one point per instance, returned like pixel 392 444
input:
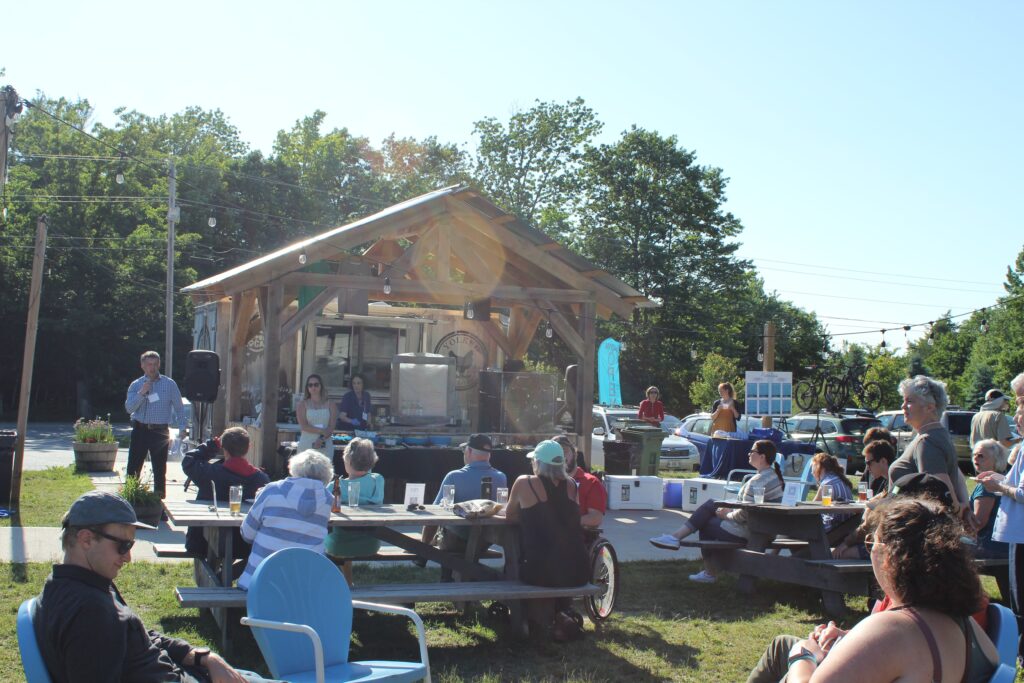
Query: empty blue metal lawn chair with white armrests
pixel 301 611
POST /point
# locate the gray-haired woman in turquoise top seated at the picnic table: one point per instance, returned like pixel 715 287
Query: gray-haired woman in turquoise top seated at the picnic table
pixel 368 488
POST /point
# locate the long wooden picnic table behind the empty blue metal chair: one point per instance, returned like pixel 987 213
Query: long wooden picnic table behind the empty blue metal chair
pixel 215 579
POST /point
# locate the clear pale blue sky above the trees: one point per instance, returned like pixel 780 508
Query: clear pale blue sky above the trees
pixel 876 137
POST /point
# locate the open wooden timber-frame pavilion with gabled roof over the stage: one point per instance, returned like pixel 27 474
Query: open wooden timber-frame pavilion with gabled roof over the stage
pixel 448 248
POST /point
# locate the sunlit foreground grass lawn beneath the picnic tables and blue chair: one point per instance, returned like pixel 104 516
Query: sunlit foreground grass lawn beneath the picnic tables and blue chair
pixel 667 628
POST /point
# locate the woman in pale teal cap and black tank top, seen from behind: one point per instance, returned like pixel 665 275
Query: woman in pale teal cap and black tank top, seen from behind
pixel 553 552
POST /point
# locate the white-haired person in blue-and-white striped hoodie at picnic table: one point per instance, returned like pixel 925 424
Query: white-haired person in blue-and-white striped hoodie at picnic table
pixel 309 508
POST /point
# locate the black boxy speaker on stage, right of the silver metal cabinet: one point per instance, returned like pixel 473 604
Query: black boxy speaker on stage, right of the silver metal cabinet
pixel 517 403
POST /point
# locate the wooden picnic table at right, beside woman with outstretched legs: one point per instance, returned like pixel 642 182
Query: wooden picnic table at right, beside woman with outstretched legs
pixel 810 561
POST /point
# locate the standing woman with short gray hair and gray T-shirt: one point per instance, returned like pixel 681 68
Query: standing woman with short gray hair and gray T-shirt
pixel 932 450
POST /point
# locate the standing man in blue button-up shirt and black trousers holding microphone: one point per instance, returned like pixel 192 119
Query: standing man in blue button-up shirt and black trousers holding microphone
pixel 153 400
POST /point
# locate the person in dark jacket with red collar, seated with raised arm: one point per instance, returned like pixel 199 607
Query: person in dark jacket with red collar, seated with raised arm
pixel 217 466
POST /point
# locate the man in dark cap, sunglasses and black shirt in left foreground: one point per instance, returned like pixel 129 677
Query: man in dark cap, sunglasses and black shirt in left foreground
pixel 88 632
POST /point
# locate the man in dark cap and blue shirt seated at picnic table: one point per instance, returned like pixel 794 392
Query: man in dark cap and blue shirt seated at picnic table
pixel 477 455
